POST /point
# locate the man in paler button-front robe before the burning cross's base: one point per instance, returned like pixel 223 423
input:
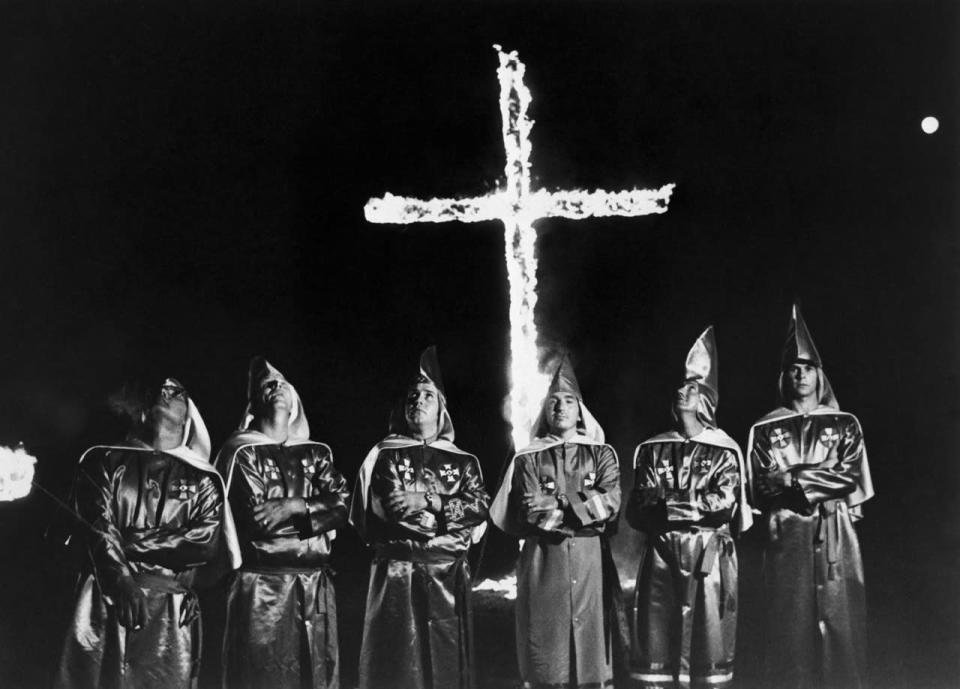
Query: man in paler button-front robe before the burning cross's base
pixel 561 494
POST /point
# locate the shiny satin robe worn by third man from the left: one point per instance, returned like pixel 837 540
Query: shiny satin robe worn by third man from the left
pixel 417 630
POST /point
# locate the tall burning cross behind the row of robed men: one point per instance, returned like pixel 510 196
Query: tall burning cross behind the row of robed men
pixel 518 207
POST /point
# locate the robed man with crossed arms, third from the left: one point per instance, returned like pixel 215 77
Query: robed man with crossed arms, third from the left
pixel 419 503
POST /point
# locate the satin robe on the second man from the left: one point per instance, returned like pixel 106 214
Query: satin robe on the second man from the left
pixel 281 628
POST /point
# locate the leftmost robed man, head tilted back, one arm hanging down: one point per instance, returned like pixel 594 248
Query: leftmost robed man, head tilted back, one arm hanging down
pixel 157 512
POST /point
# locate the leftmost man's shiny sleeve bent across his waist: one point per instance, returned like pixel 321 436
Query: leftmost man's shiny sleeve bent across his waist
pixel 186 545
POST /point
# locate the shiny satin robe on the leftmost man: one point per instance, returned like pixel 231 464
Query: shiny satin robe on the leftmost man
pixel 159 519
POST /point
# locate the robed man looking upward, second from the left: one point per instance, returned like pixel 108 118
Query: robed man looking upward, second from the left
pixel 288 498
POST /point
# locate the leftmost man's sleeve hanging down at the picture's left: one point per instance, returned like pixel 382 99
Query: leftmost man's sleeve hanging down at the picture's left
pixel 96 487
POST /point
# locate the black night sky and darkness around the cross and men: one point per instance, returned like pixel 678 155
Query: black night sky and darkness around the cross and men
pixel 182 186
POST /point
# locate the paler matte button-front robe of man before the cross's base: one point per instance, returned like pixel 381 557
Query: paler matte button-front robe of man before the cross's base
pixel 562 638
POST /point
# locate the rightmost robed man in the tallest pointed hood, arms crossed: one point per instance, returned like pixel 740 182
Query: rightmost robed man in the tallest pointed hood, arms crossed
pixel 810 477
